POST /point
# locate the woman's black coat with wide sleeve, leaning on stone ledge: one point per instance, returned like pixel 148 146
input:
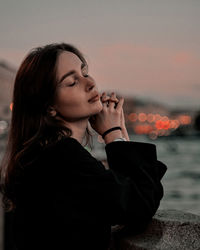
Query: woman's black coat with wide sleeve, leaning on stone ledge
pixel 67 199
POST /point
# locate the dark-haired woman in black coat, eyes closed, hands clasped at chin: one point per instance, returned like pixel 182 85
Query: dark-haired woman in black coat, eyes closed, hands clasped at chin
pixel 58 194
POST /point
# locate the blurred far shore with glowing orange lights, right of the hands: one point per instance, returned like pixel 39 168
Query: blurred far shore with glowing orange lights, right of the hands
pixel 156 120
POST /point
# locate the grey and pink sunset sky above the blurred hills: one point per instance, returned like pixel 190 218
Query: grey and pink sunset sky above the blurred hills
pixel 143 48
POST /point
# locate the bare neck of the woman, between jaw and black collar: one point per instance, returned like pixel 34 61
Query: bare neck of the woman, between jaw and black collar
pixel 78 129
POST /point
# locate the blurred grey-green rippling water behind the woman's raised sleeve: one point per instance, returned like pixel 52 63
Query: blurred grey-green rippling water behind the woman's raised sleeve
pixel 182 179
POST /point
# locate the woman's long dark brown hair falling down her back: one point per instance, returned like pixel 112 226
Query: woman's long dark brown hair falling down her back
pixel 34 92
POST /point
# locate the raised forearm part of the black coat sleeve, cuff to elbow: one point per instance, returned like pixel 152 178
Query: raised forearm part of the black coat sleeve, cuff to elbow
pixel 136 164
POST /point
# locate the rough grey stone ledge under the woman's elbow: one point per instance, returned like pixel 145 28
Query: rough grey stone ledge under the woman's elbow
pixel 169 230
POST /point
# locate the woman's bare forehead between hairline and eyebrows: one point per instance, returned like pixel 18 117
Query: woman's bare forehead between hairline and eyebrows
pixel 66 62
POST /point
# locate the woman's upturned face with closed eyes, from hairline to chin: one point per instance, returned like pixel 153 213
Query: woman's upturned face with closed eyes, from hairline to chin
pixel 75 88
